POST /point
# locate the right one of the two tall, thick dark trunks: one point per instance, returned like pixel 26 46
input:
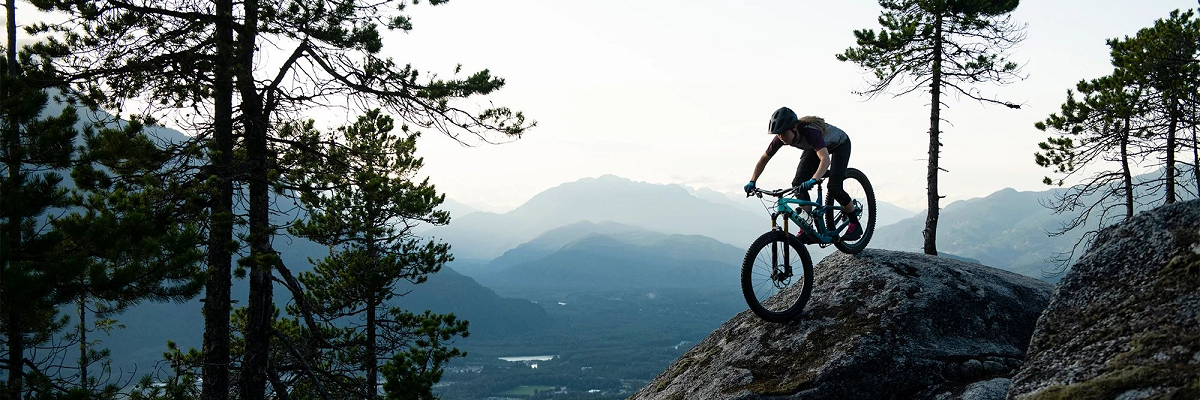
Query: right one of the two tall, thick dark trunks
pixel 260 309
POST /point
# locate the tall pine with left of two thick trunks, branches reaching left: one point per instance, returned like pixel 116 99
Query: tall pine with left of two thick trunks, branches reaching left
pixel 175 58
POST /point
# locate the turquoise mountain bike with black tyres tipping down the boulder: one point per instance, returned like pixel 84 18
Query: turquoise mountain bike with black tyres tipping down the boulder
pixel 778 259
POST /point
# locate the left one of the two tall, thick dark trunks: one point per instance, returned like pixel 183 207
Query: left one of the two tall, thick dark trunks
pixel 220 256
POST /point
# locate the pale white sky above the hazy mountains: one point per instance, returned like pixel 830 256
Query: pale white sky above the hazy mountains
pixel 674 92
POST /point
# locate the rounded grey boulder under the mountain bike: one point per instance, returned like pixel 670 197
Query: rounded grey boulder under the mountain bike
pixel 881 325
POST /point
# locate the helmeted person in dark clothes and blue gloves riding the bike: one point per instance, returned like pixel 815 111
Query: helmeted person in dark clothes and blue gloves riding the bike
pixel 826 150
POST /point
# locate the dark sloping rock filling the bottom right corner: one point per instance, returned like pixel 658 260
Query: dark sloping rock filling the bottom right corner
pixel 1125 323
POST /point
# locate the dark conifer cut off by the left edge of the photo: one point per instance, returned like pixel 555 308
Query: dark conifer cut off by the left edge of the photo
pixel 34 151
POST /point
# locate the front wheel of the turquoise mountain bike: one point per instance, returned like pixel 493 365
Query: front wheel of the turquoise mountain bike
pixel 775 262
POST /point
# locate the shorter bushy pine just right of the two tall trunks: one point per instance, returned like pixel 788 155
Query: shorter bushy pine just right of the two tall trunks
pixel 367 219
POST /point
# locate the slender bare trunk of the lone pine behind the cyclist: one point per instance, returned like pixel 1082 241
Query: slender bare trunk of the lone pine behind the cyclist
pixel 935 118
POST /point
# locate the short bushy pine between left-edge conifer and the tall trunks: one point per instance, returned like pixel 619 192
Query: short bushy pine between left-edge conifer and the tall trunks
pixel 125 186
